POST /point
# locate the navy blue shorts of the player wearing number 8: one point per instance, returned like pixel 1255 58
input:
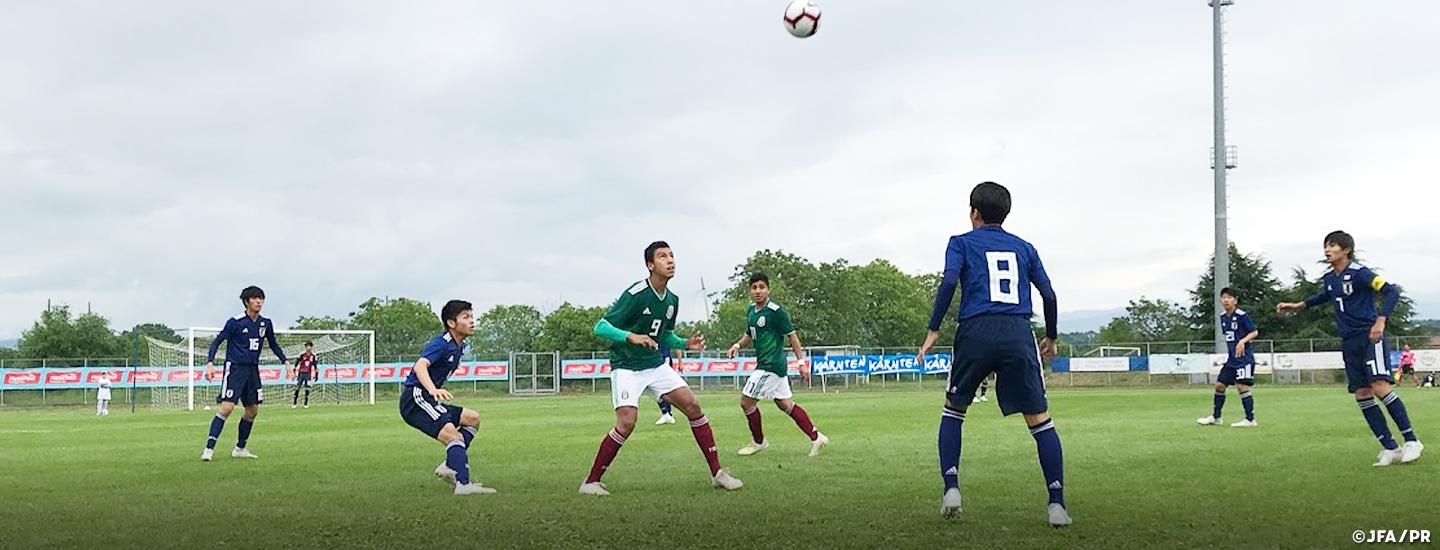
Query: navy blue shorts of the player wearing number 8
pixel 1006 346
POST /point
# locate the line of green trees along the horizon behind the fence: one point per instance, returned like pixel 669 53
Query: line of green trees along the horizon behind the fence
pixel 833 303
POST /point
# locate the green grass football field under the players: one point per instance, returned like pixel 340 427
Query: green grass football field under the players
pixel 1140 474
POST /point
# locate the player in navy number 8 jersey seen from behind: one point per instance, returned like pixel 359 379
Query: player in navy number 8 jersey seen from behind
pixel 994 273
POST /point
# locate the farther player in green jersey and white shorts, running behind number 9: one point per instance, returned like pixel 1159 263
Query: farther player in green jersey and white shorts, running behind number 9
pixel 770 329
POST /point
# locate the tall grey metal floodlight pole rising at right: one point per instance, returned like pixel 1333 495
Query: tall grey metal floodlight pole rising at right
pixel 1222 159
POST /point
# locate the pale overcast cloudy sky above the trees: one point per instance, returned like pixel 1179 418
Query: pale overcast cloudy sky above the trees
pixel 159 156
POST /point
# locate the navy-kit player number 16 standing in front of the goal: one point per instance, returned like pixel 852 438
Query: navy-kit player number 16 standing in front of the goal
pixel 243 336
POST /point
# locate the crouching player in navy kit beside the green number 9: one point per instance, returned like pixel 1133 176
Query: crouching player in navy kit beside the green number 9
pixel 424 397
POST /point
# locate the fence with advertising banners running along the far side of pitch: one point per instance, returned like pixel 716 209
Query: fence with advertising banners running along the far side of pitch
pixel 1154 365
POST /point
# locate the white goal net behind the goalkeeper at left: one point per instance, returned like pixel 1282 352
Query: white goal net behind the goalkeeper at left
pixel 345 368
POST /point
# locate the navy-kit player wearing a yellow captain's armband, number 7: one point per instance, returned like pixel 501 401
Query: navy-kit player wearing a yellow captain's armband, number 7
pixel 1351 290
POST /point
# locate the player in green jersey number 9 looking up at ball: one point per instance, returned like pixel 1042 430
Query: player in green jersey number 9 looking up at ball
pixel 637 325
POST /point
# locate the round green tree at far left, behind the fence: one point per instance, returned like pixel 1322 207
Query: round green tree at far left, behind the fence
pixel 67 342
